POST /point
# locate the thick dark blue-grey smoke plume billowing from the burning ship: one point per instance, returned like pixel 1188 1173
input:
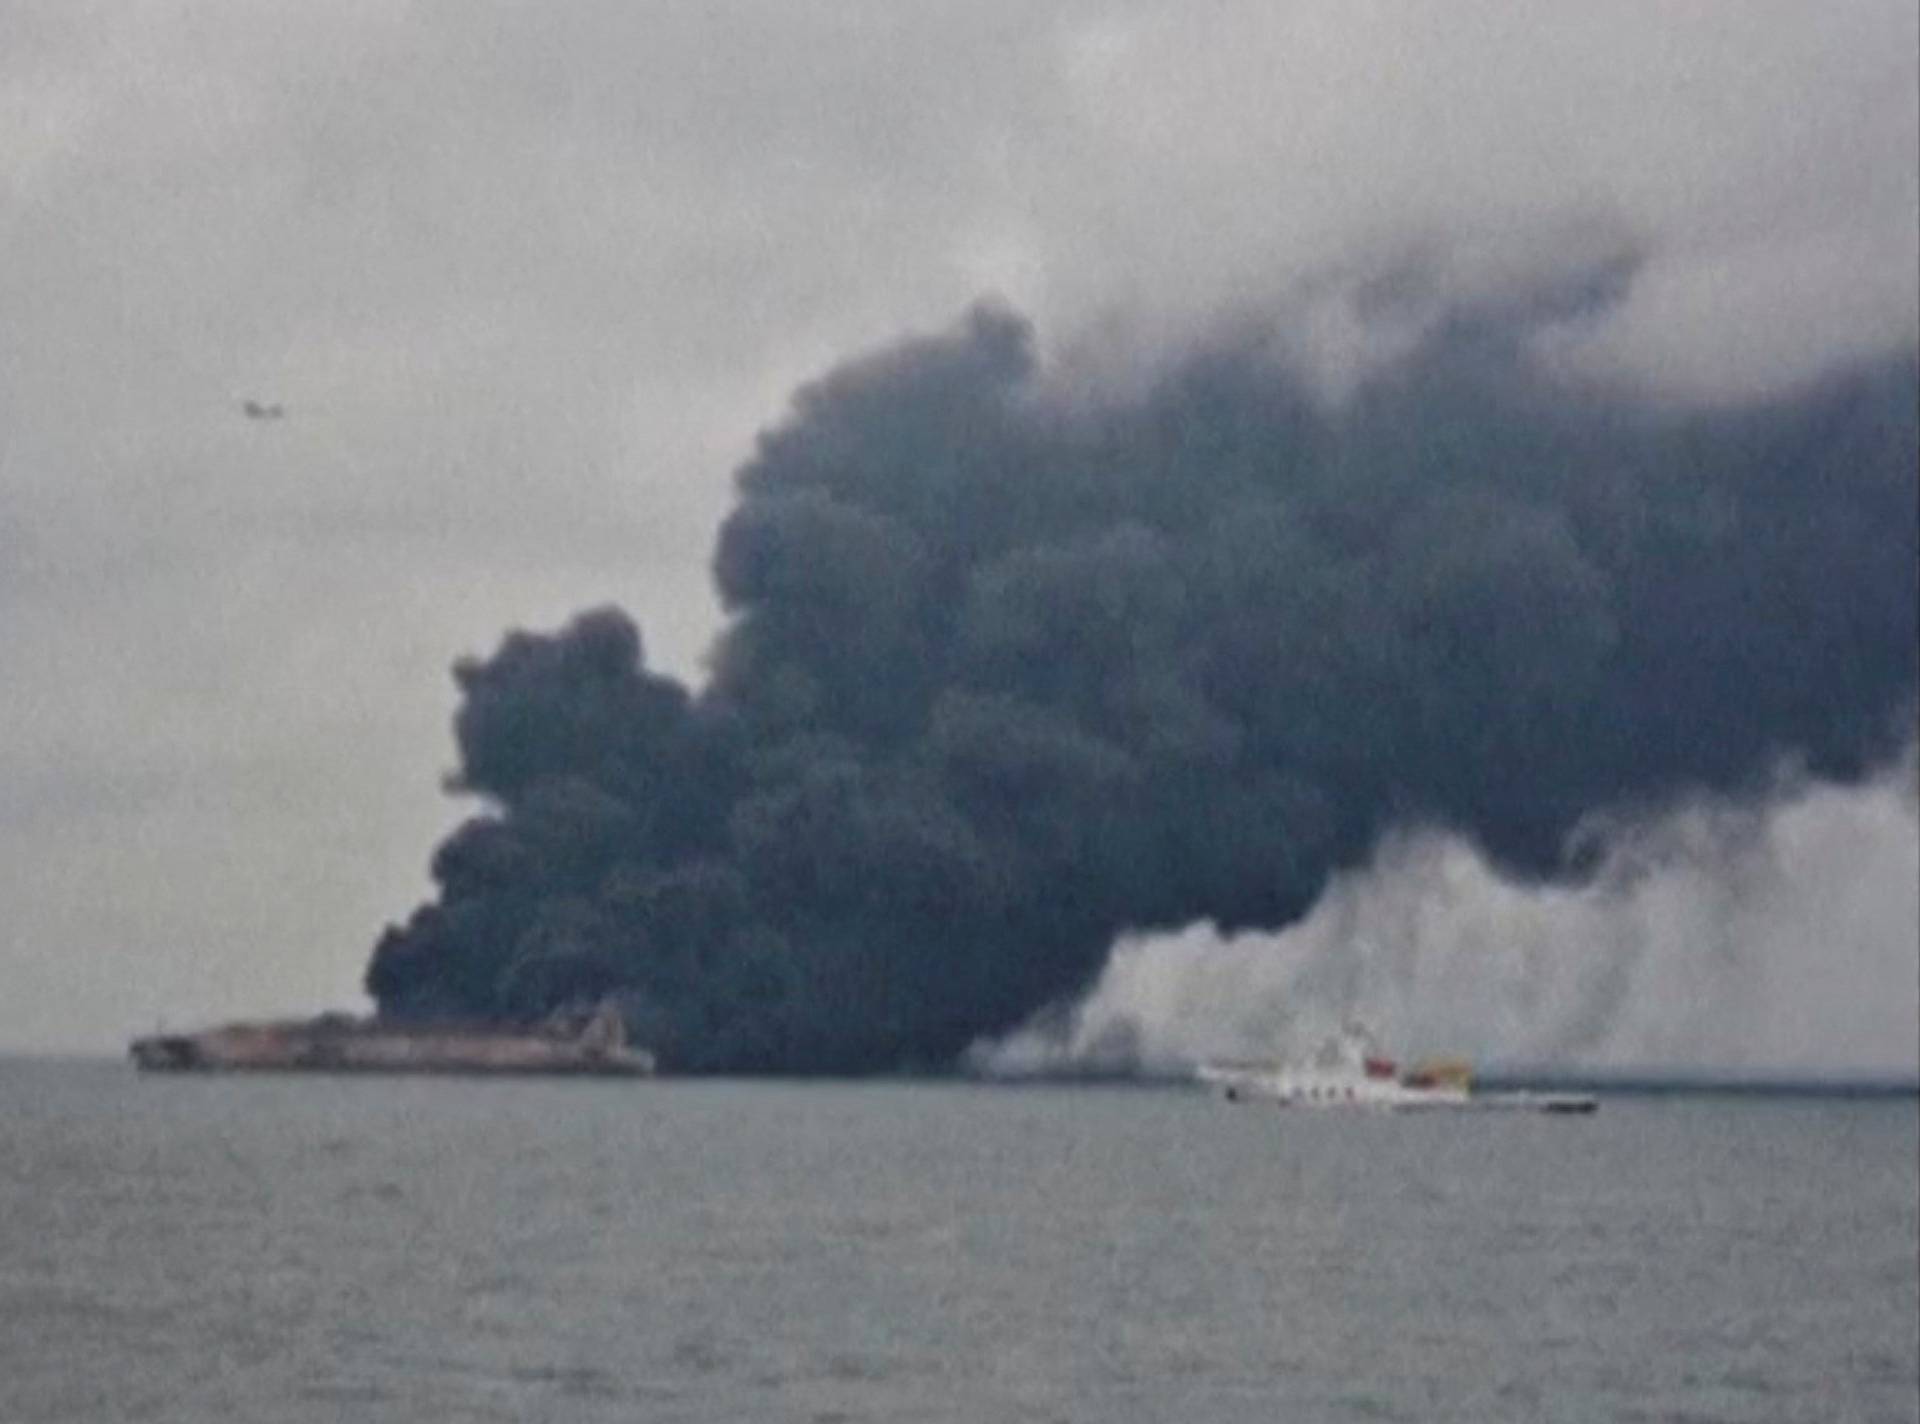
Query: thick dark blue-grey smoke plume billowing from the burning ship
pixel 1009 675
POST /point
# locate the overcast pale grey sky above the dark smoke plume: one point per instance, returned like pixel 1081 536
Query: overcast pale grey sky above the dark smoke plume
pixel 529 279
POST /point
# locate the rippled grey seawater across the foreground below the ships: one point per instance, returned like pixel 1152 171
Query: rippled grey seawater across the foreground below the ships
pixel 487 1250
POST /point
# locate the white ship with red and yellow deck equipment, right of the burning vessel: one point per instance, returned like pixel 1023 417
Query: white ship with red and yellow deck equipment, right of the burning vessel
pixel 1349 1072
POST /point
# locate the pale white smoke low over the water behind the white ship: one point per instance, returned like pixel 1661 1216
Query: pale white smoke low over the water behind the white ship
pixel 1714 939
